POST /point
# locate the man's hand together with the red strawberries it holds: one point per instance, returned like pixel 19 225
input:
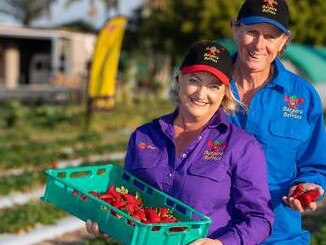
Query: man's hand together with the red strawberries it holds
pixel 303 196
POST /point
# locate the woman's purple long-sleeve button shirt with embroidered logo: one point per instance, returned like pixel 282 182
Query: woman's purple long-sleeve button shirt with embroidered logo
pixel 222 174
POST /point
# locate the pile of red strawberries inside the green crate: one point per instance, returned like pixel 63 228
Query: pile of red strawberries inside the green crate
pixel 133 205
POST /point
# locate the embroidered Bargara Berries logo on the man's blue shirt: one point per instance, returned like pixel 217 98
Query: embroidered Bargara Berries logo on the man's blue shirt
pixel 291 109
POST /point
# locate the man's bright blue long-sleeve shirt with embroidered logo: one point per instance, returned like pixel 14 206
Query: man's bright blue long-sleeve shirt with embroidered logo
pixel 286 117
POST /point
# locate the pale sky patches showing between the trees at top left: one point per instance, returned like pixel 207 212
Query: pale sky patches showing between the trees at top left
pixel 79 10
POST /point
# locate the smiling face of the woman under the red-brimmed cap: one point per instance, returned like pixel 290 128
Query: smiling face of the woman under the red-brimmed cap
pixel 200 95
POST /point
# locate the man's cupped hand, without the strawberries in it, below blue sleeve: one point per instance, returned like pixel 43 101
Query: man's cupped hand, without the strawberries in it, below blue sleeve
pixel 295 203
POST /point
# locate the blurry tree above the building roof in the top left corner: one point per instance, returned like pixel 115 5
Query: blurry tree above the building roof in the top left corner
pixel 26 11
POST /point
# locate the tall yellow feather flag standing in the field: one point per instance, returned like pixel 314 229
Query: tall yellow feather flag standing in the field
pixel 102 83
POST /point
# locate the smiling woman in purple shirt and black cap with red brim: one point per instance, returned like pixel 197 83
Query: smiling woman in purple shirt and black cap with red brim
pixel 196 155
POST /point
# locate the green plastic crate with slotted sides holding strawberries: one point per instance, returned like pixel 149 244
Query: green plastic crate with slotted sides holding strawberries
pixel 68 189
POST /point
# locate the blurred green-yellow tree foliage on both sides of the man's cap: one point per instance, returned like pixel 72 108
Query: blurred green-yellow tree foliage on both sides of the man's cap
pixel 181 22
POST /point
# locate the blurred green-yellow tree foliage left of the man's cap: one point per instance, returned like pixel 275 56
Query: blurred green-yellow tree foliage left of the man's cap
pixel 182 22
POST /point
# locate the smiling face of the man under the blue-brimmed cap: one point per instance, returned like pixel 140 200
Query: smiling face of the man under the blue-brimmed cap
pixel 258 45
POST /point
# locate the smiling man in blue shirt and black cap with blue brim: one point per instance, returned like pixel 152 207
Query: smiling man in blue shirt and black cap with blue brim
pixel 283 111
